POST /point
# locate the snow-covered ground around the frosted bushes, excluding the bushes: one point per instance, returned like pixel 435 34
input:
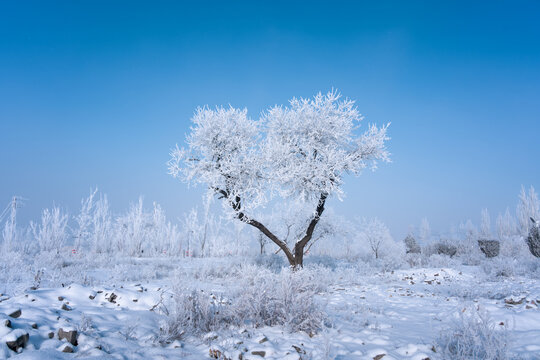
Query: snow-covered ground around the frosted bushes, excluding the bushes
pixel 368 314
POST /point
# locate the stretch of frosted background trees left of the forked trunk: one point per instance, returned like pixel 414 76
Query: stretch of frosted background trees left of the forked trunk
pixel 138 232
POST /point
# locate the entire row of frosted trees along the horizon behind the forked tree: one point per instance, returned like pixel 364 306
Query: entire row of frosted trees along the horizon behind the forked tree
pixel 143 231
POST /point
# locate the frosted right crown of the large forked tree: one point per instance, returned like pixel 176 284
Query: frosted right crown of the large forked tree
pixel 311 144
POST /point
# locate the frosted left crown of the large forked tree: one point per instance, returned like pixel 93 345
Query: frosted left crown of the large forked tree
pixel 223 154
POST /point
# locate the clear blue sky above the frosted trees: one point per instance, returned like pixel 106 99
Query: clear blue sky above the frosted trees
pixel 95 93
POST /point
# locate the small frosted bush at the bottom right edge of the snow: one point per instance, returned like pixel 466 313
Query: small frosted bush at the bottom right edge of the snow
pixel 473 335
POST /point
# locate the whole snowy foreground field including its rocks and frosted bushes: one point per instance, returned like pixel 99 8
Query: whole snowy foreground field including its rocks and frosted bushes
pixel 222 308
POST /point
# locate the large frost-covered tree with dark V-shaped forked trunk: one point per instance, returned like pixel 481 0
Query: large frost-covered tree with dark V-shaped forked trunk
pixel 301 152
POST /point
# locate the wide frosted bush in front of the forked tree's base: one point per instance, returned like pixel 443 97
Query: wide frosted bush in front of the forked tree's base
pixel 263 299
